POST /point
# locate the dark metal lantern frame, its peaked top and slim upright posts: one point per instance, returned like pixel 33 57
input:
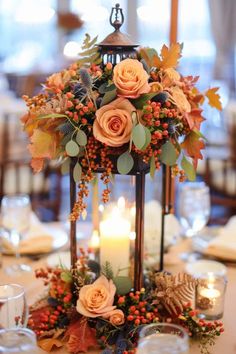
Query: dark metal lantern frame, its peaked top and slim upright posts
pixel 119 45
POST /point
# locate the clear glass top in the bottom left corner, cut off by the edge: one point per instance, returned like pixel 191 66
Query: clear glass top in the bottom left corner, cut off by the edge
pixel 18 340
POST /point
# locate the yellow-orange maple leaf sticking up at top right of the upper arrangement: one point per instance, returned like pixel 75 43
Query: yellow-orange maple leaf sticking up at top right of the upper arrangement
pixel 170 56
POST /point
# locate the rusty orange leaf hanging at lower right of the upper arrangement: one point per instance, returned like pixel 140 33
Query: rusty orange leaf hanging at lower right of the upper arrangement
pixel 193 145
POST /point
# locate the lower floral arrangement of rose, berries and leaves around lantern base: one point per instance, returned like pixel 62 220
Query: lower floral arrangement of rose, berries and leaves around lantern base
pixel 90 307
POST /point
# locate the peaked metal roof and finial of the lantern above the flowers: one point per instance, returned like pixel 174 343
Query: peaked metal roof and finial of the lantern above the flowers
pixel 117 46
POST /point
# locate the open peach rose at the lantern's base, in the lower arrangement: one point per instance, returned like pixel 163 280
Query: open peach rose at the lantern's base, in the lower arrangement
pixel 97 299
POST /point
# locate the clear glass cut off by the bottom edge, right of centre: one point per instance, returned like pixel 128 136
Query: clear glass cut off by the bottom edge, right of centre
pixel 163 338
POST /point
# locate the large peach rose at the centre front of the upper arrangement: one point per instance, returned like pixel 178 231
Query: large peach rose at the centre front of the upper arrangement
pixel 113 123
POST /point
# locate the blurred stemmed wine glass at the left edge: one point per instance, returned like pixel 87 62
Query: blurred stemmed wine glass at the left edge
pixel 15 210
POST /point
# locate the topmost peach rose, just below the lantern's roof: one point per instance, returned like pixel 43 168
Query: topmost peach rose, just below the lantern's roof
pixel 130 78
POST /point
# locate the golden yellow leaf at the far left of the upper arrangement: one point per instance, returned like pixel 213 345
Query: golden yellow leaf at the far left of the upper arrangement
pixel 42 145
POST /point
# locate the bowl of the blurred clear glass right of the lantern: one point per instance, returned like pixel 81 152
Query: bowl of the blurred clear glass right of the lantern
pixel 194 207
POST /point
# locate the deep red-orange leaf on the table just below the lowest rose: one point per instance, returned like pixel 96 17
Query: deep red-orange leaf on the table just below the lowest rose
pixel 81 336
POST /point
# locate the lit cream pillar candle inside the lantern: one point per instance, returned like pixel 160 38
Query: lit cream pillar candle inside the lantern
pixel 115 242
